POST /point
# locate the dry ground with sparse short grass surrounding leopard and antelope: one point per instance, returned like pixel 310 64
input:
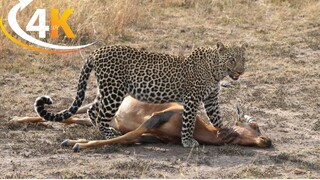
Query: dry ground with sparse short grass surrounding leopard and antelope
pixel 280 88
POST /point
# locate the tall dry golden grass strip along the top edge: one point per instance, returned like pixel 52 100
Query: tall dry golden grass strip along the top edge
pixel 102 21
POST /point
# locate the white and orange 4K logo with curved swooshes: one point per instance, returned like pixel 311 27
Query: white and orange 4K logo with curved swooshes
pixel 57 22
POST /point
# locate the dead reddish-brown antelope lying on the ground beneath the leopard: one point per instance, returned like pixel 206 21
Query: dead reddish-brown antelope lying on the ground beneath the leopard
pixel 137 120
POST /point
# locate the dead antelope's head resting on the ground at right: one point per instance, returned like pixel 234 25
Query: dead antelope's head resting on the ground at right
pixel 248 131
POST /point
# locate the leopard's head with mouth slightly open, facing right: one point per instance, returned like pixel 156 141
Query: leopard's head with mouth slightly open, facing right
pixel 233 58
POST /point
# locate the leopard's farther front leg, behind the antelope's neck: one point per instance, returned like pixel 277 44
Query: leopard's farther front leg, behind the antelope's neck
pixel 211 104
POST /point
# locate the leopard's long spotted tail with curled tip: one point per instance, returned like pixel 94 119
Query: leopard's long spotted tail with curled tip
pixel 82 86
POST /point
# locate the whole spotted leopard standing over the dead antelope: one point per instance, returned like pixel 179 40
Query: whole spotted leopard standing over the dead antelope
pixel 191 80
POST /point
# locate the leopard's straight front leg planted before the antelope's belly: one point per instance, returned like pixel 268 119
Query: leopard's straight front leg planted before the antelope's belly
pixel 188 123
